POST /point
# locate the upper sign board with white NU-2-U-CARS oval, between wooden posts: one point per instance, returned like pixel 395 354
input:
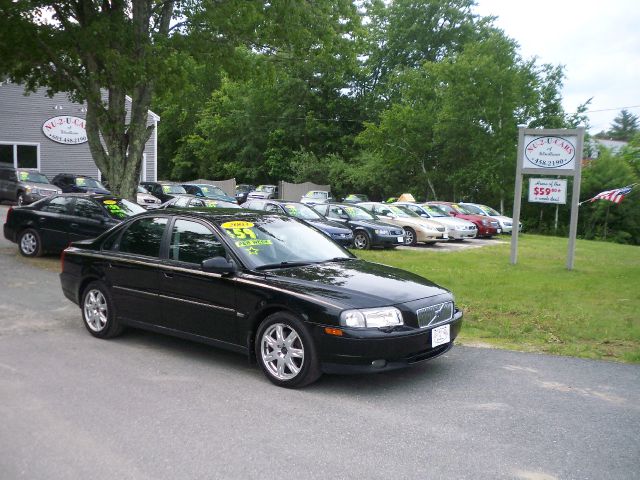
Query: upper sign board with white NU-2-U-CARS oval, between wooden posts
pixel 549 152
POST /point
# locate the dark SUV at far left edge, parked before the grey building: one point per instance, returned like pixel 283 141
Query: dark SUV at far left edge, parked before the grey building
pixel 24 186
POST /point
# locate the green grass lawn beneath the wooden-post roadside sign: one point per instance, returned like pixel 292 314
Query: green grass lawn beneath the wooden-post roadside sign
pixel 538 305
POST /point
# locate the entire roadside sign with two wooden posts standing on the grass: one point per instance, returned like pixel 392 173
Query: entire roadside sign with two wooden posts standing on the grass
pixel 552 152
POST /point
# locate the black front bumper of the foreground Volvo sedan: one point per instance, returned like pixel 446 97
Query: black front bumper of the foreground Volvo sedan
pixel 377 351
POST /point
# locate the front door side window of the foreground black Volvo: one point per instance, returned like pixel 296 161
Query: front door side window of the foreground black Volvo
pixel 192 242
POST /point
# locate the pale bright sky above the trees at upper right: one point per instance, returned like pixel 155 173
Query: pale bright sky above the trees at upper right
pixel 597 41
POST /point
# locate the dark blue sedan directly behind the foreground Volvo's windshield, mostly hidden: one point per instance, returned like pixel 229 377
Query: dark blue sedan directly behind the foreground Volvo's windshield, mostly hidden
pixel 338 232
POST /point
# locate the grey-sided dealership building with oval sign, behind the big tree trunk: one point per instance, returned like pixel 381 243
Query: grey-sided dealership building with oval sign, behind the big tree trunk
pixel 48 134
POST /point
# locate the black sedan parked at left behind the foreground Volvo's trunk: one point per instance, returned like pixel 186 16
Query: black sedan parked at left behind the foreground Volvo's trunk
pixel 49 225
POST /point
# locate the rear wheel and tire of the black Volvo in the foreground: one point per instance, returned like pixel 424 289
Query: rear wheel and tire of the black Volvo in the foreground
pixel 98 312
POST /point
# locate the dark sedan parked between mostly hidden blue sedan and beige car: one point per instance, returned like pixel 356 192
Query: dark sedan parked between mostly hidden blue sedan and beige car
pixel 368 231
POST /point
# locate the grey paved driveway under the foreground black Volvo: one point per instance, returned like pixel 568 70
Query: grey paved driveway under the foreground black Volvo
pixel 148 406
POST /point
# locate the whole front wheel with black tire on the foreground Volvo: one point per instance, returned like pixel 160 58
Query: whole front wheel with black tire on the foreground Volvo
pixel 285 351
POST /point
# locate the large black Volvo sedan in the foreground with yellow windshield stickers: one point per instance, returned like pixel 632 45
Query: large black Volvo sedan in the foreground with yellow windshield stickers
pixel 267 286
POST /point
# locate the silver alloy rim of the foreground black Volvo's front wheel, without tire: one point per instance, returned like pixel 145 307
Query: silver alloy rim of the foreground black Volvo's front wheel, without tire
pixel 282 351
